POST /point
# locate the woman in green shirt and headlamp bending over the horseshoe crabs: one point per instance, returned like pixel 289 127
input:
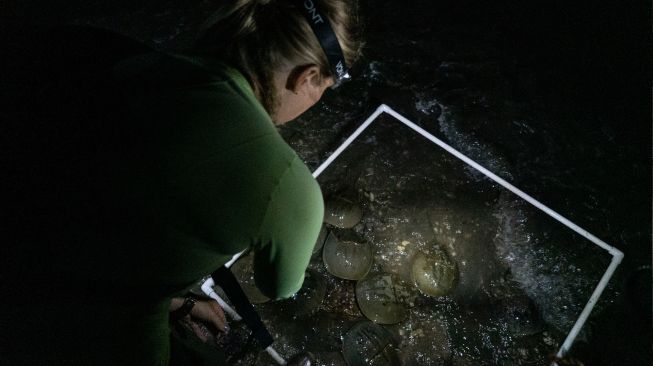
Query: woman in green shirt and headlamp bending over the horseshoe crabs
pixel 134 173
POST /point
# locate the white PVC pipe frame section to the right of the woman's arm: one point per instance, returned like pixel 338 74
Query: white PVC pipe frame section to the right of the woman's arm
pixel 617 255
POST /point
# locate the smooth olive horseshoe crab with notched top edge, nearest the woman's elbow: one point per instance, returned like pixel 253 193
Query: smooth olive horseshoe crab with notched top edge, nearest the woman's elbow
pixel 347 259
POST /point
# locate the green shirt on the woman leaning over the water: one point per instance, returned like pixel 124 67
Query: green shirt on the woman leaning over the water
pixel 221 178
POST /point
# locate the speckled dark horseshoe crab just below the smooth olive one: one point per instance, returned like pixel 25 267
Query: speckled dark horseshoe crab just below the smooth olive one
pixel 384 298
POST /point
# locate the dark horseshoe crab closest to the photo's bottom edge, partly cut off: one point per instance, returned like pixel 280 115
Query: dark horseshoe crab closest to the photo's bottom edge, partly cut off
pixel 367 343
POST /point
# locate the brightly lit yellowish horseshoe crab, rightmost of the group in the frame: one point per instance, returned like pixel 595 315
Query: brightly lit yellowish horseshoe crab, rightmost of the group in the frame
pixel 435 274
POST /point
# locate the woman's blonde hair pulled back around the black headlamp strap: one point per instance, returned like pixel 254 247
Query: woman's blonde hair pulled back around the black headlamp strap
pixel 259 37
